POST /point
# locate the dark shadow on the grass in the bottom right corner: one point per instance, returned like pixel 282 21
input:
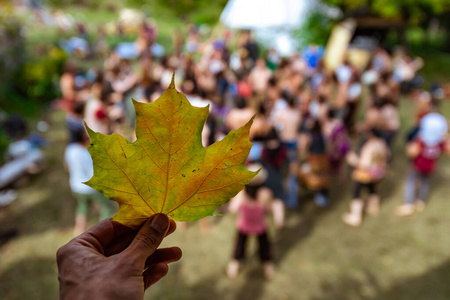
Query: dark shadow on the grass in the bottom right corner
pixel 431 285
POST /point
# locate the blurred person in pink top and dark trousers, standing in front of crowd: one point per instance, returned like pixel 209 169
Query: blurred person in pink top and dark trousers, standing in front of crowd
pixel 252 204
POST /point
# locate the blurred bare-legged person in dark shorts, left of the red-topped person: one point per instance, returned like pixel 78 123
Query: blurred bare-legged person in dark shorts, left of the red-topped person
pixel 369 169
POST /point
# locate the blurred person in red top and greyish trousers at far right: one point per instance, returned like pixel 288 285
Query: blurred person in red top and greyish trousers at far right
pixel 424 151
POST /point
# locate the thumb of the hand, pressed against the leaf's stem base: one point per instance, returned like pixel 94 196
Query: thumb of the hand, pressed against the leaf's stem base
pixel 148 238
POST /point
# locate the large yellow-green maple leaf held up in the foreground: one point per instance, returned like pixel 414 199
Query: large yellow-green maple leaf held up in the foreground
pixel 167 170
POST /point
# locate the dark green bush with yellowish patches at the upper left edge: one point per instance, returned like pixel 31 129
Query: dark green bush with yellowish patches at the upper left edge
pixel 28 78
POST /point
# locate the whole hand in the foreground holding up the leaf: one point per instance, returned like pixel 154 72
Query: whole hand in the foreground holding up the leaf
pixel 112 261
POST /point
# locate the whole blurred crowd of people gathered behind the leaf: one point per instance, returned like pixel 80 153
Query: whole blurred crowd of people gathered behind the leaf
pixel 313 127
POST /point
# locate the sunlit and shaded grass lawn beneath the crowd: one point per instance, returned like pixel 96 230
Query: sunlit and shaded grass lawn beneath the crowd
pixel 317 256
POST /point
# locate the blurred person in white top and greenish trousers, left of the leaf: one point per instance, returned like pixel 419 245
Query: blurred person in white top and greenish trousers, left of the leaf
pixel 80 166
